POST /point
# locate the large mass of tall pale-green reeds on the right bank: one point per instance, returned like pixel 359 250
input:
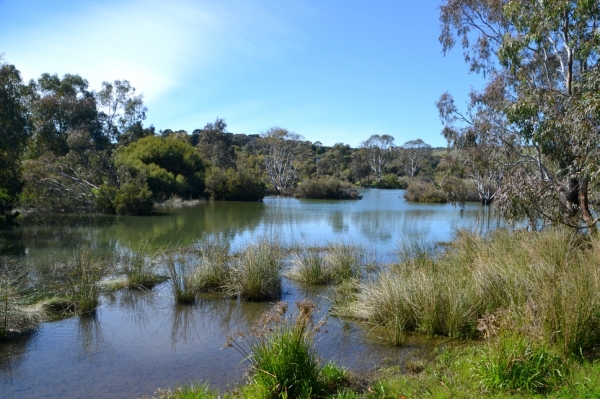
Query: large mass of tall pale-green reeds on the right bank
pixel 546 283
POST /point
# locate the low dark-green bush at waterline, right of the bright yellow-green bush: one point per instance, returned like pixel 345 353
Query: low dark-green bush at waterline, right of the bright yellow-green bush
pixel 234 185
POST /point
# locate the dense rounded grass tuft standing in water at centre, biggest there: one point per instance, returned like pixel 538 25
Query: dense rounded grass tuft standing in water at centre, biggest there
pixel 255 272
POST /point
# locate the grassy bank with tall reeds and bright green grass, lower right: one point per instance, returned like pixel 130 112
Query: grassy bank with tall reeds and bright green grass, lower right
pixel 525 307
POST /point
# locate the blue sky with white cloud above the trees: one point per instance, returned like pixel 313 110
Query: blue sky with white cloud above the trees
pixel 332 71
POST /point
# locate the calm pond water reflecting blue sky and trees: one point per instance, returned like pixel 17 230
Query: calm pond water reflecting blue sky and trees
pixel 138 341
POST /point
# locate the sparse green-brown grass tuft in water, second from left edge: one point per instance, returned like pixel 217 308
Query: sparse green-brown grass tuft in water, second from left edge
pixel 81 275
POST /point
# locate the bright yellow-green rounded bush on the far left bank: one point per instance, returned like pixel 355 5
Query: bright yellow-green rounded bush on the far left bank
pixel 172 166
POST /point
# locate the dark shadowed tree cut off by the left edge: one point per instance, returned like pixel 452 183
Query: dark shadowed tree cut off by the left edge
pixel 14 132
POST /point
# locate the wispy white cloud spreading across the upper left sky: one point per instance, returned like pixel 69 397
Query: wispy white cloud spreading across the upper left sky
pixel 155 44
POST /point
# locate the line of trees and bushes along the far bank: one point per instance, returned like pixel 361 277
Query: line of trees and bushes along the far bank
pixel 67 148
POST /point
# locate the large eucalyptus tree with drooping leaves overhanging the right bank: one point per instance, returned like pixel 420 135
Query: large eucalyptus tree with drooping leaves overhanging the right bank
pixel 541 104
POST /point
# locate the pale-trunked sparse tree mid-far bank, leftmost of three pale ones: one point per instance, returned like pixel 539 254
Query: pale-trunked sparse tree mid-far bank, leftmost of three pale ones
pixel 282 153
